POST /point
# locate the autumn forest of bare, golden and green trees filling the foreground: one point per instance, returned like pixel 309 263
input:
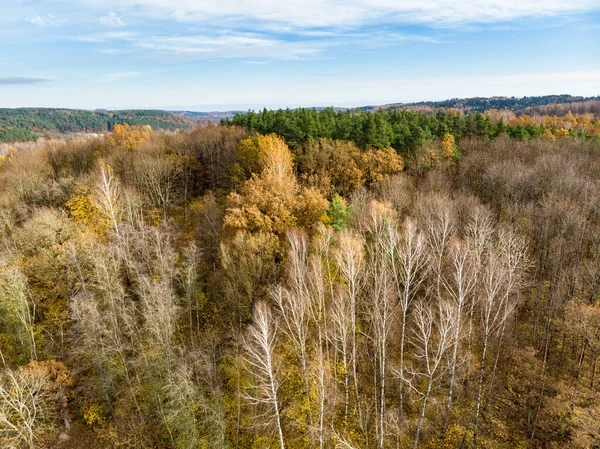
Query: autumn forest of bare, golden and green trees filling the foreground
pixel 388 280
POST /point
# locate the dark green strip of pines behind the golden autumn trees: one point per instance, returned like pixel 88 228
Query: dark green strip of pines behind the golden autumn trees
pixel 403 130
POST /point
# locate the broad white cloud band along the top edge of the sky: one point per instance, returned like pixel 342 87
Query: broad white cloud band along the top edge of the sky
pixel 335 13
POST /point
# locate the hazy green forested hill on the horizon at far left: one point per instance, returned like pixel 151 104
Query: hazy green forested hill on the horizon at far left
pixel 24 124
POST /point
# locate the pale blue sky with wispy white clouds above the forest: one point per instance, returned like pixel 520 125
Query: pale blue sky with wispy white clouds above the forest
pixel 247 54
